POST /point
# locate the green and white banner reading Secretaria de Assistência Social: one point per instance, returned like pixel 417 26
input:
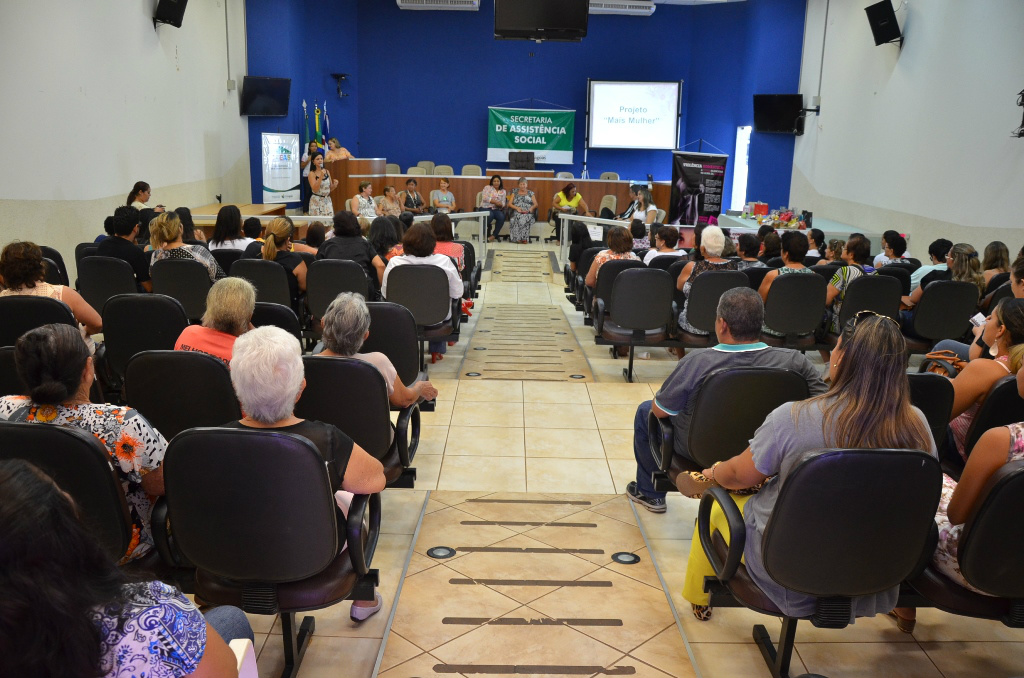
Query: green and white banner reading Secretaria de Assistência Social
pixel 547 134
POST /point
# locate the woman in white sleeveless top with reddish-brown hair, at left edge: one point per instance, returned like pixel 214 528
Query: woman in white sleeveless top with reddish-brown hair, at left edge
pixel 24 274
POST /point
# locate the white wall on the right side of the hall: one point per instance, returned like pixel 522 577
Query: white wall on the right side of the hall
pixel 917 141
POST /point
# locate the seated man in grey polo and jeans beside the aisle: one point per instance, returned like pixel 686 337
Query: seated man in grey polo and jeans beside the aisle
pixel 741 314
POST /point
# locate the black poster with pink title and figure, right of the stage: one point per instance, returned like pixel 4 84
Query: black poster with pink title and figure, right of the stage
pixel 698 184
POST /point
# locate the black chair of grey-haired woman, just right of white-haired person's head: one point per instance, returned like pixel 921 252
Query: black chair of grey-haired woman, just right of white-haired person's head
pixel 362 410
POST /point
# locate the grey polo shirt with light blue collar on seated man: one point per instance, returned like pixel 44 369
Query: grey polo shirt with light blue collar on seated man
pixel 676 395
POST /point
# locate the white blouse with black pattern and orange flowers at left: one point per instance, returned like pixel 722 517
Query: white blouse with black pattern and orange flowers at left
pixel 136 448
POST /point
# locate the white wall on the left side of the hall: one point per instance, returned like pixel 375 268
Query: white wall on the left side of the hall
pixel 95 99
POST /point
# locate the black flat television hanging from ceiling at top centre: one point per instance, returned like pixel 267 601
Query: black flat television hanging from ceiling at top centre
pixel 541 20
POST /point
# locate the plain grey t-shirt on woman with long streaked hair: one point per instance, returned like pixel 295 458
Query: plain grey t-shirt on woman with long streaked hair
pixel 779 447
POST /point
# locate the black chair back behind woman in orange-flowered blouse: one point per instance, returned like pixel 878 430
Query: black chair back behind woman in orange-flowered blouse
pixel 80 465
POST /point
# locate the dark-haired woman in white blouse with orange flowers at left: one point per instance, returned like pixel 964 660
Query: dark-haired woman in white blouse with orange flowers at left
pixel 56 366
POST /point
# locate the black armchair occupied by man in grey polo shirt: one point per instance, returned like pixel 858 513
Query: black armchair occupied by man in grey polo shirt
pixel 720 431
